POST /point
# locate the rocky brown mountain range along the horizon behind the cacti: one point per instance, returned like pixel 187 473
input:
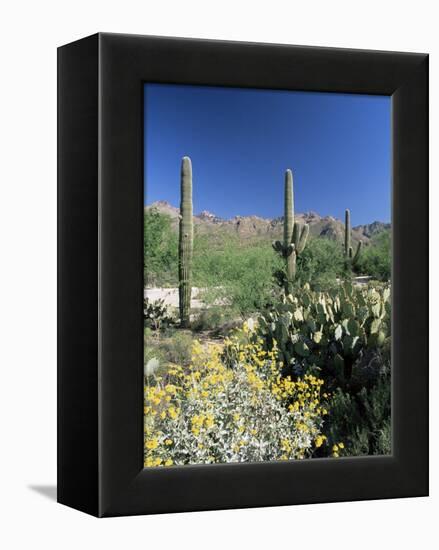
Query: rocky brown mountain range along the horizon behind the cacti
pixel 249 227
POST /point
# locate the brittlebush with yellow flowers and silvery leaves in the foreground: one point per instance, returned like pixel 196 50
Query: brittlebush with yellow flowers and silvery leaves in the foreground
pixel 231 405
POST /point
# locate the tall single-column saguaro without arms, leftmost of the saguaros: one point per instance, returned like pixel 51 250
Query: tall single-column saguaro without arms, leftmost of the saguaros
pixel 185 244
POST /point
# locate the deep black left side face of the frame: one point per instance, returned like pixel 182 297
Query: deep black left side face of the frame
pixel 77 464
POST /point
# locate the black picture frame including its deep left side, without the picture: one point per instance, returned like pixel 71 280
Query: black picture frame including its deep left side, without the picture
pixel 100 274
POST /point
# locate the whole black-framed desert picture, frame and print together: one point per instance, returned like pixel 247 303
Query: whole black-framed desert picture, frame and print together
pixel 242 275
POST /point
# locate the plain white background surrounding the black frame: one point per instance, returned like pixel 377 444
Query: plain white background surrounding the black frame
pixel 30 32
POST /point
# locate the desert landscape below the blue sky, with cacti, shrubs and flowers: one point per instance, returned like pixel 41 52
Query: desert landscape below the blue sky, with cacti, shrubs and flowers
pixel 264 348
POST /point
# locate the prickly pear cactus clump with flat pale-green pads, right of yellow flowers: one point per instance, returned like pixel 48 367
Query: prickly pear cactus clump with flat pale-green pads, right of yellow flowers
pixel 329 331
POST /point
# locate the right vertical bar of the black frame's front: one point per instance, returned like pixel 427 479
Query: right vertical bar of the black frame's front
pixel 410 260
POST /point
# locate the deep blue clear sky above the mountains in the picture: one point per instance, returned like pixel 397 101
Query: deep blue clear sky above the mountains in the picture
pixel 242 140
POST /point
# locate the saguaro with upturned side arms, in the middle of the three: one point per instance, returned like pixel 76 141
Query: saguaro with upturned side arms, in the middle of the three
pixel 295 235
